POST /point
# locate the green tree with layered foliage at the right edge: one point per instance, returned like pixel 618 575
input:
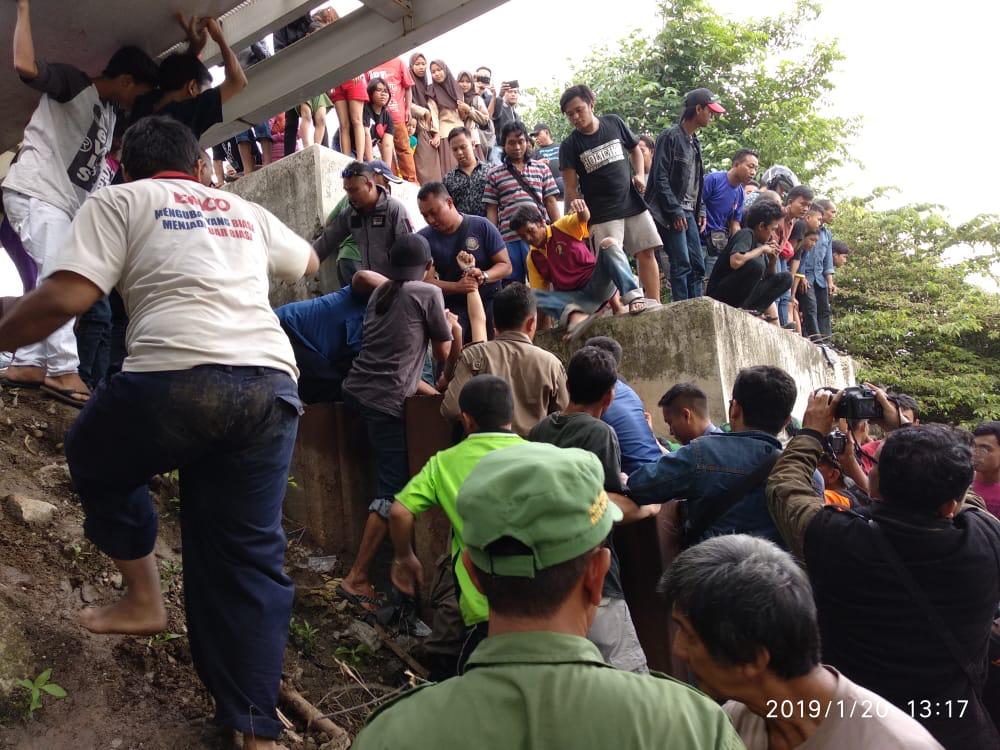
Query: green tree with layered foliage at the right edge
pixel 907 313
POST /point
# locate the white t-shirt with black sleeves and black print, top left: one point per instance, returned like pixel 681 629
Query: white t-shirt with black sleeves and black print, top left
pixel 66 140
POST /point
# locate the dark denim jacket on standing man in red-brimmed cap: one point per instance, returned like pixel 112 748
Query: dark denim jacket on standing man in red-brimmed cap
pixel 673 160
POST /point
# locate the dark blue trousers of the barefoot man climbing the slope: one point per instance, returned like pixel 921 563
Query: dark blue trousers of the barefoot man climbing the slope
pixel 230 431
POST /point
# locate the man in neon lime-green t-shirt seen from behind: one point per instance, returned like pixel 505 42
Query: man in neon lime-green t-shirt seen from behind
pixel 486 403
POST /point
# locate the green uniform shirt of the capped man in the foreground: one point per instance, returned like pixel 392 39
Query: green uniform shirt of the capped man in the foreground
pixel 543 691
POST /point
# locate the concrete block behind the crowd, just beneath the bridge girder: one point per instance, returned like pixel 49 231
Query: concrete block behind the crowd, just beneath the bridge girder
pixel 301 190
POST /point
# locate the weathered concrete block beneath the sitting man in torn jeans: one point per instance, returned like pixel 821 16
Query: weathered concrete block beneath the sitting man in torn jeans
pixel 705 342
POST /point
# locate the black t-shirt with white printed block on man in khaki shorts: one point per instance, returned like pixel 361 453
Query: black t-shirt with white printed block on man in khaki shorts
pixel 601 161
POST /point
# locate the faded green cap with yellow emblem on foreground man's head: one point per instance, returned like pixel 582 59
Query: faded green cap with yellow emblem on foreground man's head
pixel 550 499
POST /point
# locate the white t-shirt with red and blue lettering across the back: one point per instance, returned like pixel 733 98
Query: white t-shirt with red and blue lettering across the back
pixel 191 264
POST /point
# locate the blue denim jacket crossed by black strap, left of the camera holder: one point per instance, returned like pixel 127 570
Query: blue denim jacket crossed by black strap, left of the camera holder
pixel 707 466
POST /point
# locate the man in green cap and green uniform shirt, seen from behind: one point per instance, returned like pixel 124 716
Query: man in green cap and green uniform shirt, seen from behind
pixel 535 517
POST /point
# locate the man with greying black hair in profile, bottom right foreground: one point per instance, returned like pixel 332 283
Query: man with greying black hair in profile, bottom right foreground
pixel 747 628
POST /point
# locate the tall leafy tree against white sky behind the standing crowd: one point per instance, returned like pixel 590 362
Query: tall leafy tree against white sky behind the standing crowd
pixel 770 81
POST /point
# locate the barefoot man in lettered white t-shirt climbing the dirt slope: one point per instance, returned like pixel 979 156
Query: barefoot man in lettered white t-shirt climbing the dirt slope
pixel 208 386
